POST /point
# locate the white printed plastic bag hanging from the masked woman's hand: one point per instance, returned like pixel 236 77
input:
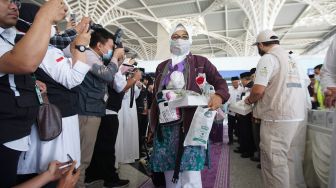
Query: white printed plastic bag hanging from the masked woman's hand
pixel 200 127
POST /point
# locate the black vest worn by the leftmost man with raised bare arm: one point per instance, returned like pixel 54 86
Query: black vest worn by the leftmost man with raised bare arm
pixel 18 108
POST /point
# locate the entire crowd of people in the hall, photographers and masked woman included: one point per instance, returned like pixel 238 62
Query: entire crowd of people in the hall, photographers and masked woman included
pixel 106 104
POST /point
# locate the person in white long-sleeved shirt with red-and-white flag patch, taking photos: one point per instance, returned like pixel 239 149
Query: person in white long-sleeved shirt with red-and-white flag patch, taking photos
pixel 60 74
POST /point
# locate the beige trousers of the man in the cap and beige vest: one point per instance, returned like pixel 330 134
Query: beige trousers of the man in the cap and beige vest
pixel 276 145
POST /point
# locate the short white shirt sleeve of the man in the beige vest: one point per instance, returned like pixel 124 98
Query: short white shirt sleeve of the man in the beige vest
pixel 266 69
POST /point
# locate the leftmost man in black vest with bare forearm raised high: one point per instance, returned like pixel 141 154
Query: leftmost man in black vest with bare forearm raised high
pixel 19 105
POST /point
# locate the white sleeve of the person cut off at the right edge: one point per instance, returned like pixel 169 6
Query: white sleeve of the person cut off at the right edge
pixel 328 71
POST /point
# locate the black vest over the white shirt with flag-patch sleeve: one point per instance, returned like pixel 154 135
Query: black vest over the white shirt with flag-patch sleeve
pixel 65 99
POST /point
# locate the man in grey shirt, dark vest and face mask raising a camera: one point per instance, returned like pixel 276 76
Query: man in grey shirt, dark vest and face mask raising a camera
pixel 92 91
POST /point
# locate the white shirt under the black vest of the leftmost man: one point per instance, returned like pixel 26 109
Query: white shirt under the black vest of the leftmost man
pixel 21 144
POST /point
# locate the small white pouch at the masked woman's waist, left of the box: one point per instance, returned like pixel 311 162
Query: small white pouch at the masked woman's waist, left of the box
pixel 167 114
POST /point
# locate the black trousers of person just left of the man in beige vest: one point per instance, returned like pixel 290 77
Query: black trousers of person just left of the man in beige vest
pixel 246 134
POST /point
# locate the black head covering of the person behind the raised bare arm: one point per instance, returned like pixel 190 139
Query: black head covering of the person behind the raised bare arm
pixel 28 12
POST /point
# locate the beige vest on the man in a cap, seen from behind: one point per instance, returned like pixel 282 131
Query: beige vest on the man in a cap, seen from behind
pixel 284 95
